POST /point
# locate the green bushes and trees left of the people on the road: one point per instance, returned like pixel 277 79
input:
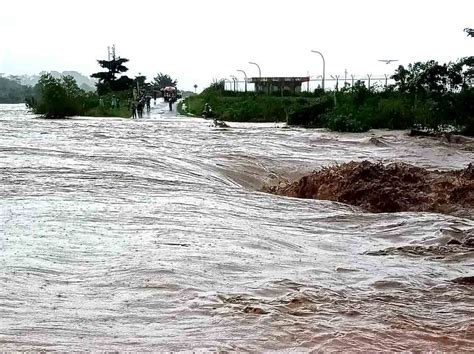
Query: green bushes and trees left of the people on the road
pixel 116 94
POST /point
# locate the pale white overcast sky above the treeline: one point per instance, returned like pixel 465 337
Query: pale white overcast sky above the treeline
pixel 196 41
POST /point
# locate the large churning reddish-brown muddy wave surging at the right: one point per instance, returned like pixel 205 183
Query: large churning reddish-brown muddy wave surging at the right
pixel 394 187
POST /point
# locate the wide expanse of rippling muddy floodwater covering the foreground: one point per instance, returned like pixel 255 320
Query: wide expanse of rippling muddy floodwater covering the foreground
pixel 151 234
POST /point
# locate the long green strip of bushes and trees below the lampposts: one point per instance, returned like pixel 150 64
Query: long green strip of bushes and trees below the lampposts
pixel 427 95
